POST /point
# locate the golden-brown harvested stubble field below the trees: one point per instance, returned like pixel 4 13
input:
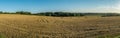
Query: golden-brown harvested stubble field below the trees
pixel 30 26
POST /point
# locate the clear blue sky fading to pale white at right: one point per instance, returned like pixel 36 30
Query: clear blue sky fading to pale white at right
pixel 60 5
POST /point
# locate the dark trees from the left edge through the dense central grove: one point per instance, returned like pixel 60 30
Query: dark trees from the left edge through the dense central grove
pixel 58 14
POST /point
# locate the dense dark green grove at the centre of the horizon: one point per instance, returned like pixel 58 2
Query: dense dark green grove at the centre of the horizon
pixel 59 14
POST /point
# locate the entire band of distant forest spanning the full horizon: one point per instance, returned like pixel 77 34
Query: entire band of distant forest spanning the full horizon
pixel 62 14
